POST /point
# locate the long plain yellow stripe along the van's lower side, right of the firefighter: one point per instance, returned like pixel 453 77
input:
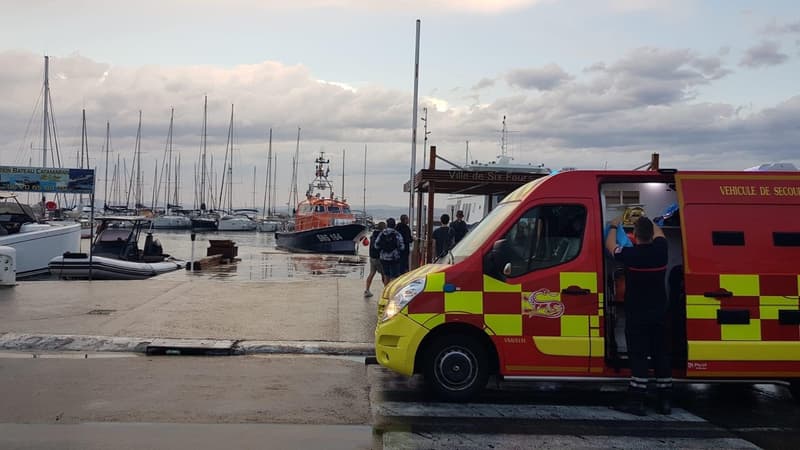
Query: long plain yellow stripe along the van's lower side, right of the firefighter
pixel 744 351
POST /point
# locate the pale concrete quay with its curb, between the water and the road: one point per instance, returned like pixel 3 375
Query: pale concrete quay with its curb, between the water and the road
pixel 298 316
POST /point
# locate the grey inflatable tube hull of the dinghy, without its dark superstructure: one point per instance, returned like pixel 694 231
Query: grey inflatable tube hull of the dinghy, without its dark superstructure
pixel 78 265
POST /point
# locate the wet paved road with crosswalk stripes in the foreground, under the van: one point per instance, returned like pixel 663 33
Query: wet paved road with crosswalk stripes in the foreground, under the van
pixel 134 401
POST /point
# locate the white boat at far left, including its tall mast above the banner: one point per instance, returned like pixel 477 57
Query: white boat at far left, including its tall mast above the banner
pixel 34 239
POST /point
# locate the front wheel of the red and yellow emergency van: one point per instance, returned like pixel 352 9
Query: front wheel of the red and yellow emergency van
pixel 456 367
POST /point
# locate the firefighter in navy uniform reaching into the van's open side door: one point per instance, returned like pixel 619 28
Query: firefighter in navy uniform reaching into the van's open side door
pixel 645 312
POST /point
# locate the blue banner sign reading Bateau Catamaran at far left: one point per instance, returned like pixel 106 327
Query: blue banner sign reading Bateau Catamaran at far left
pixel 46 179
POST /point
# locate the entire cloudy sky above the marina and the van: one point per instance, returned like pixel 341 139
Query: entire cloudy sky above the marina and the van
pixel 583 83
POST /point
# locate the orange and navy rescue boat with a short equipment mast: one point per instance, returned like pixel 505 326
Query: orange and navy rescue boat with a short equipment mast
pixel 322 224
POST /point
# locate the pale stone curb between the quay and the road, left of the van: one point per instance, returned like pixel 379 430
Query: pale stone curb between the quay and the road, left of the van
pixel 27 342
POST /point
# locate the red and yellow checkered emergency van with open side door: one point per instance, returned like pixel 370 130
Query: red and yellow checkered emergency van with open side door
pixel 531 294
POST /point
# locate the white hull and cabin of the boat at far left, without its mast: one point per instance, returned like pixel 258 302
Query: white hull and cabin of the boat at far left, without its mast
pixel 36 242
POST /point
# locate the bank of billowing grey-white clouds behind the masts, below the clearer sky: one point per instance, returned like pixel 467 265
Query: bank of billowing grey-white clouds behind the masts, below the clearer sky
pixel 620 112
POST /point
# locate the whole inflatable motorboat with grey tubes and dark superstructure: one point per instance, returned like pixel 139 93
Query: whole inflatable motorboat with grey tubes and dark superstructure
pixel 116 254
